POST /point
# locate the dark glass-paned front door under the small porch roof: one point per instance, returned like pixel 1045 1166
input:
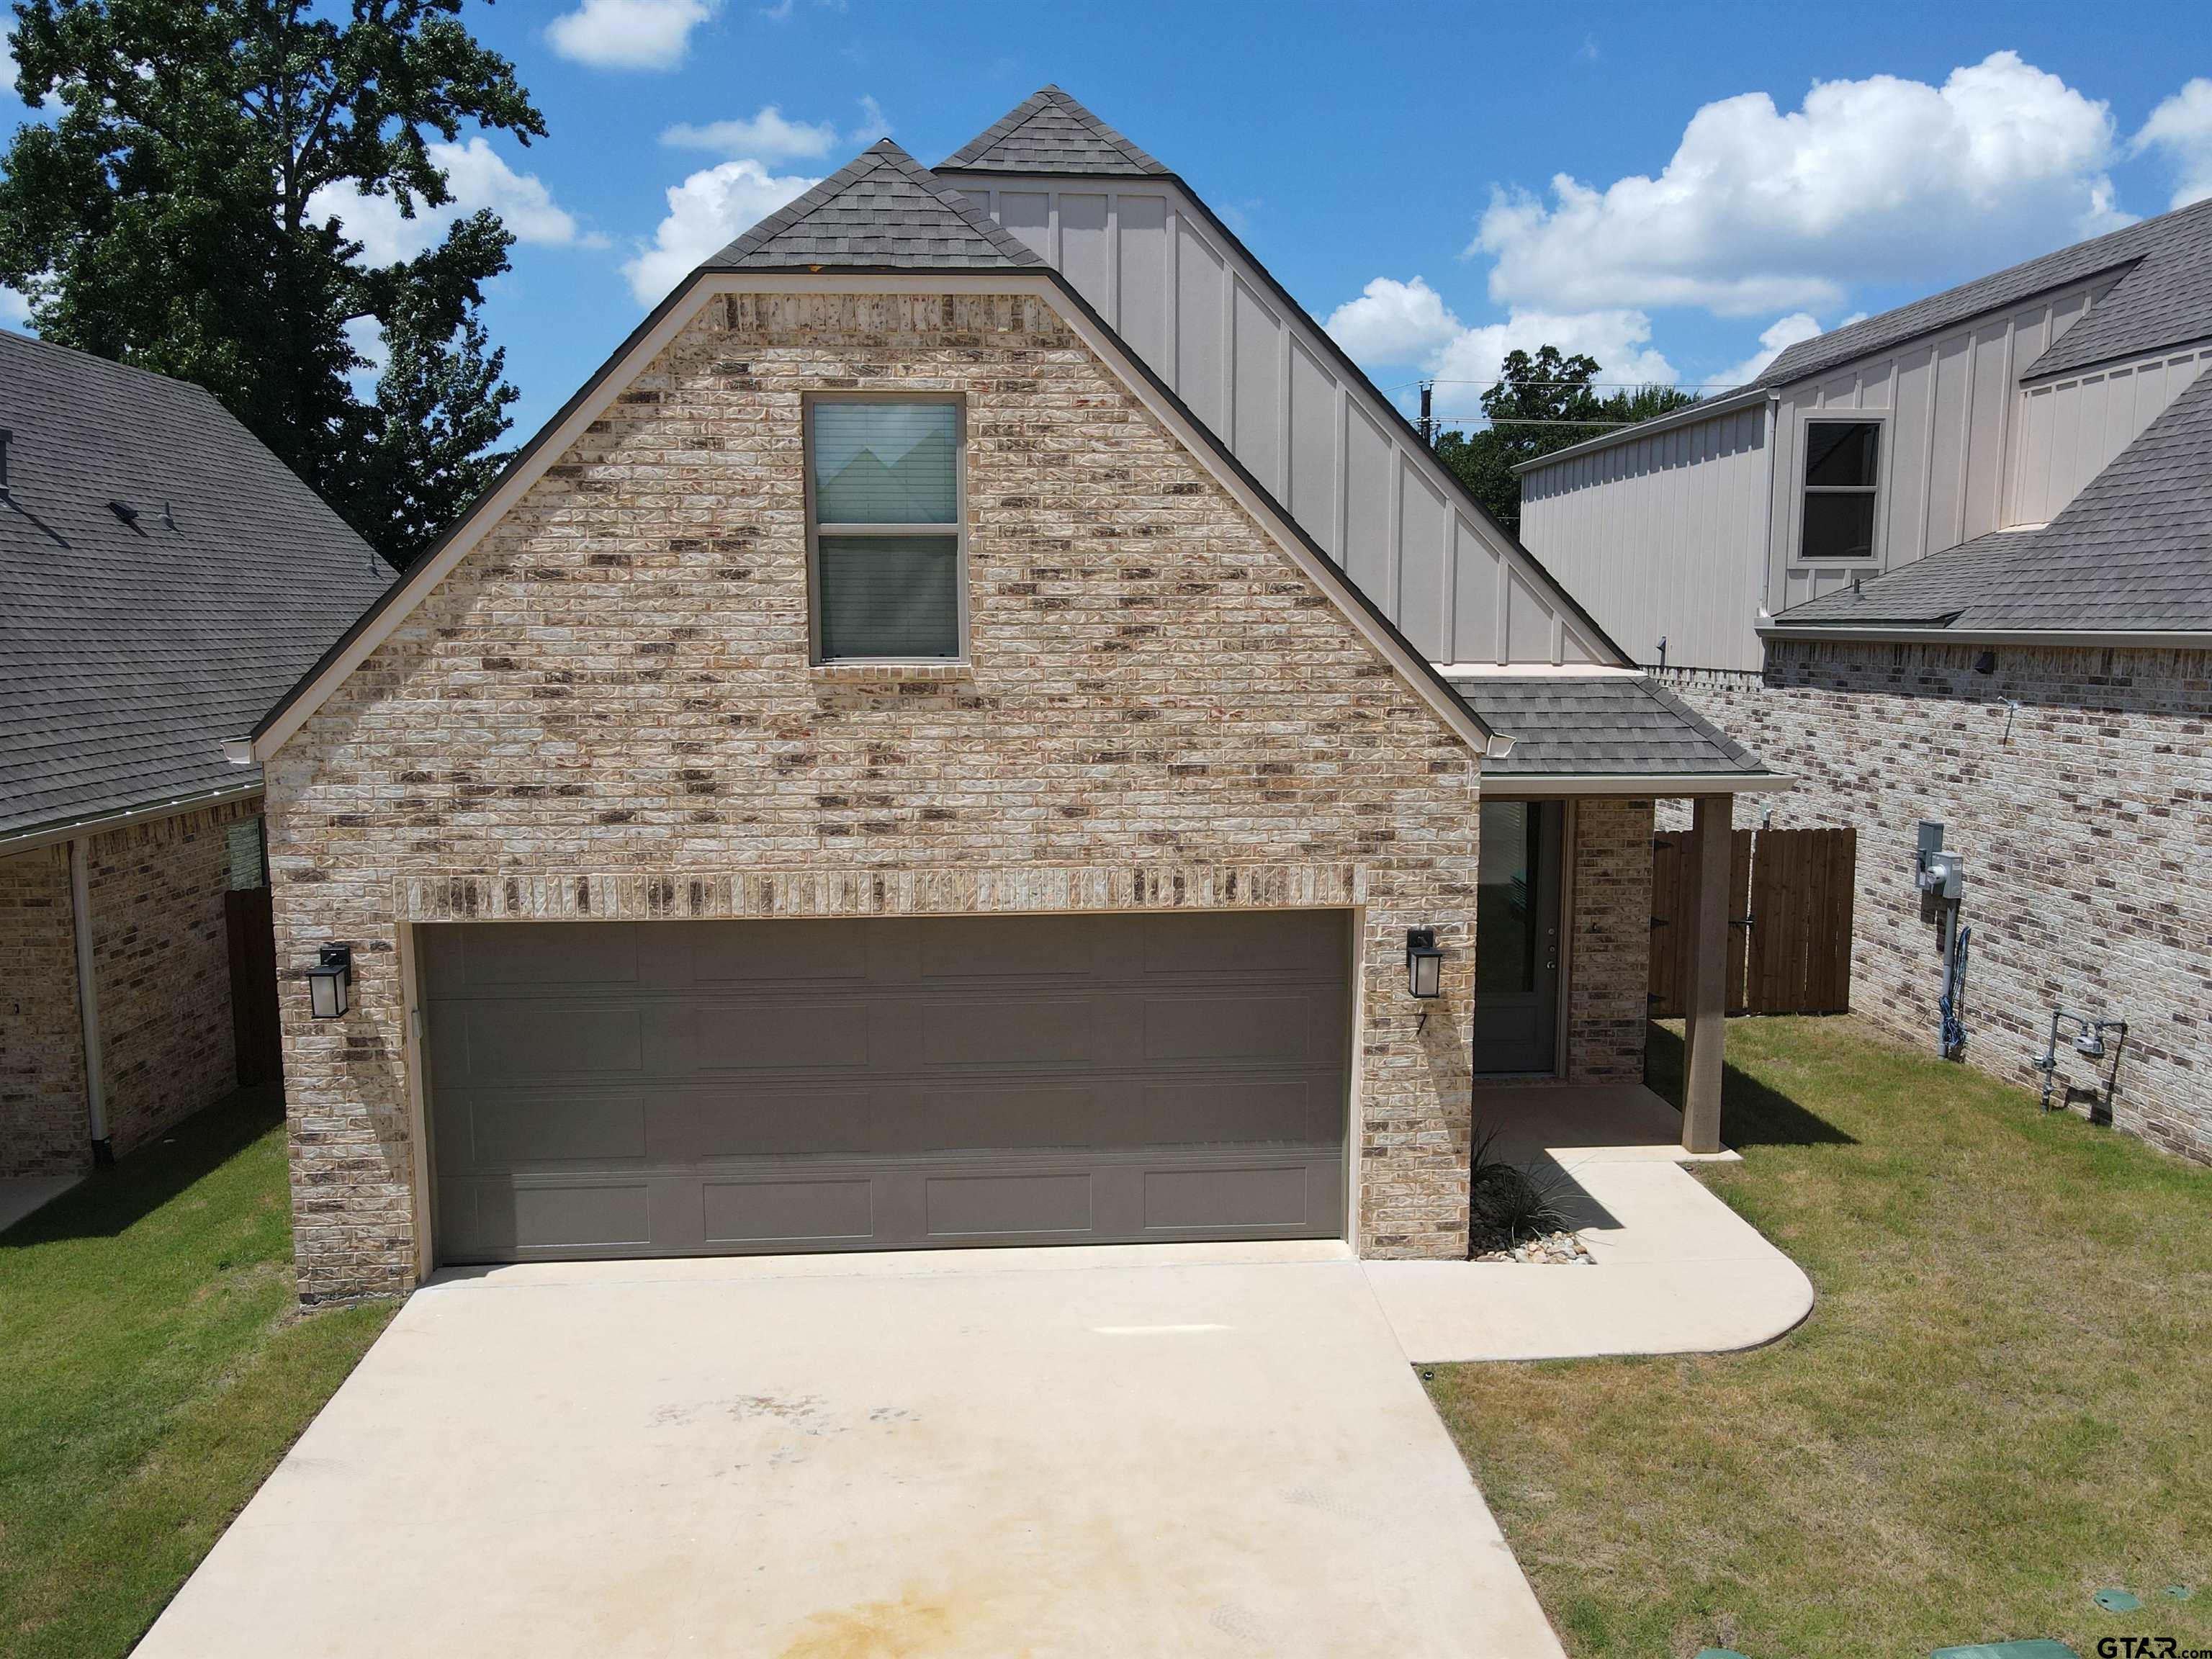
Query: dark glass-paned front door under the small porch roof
pixel 1519 937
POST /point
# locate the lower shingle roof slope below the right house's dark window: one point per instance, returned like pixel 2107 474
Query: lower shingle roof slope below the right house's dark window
pixel 2131 554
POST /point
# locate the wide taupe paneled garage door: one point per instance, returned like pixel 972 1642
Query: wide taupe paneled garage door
pixel 671 1089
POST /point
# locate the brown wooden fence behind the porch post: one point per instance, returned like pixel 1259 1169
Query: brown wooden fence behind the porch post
pixel 1788 910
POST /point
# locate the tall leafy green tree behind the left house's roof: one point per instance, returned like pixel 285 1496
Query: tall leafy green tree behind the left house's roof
pixel 169 218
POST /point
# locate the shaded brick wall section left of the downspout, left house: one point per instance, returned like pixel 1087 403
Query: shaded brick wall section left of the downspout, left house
pixel 43 1129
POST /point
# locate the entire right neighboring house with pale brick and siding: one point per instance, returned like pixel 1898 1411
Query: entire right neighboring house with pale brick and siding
pixel 1957 563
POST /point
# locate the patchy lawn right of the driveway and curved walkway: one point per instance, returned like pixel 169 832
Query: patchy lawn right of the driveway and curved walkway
pixel 2003 1399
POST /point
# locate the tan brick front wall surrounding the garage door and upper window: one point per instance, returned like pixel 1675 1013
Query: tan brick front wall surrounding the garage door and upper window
pixel 609 707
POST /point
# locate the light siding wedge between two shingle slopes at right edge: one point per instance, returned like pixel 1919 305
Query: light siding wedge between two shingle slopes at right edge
pixel 2074 426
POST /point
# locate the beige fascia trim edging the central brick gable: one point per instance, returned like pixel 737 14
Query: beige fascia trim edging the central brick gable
pixel 1043 284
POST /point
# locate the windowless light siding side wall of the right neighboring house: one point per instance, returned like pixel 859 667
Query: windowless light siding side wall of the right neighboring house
pixel 1665 536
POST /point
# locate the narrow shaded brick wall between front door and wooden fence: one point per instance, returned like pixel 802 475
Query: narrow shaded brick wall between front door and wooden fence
pixel 1609 943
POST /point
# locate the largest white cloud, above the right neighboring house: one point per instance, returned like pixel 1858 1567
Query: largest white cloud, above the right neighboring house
pixel 1872 180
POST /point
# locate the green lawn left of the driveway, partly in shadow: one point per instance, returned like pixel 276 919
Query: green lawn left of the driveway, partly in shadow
pixel 154 1368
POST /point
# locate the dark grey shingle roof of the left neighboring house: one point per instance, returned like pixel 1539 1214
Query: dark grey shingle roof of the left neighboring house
pixel 132 651
